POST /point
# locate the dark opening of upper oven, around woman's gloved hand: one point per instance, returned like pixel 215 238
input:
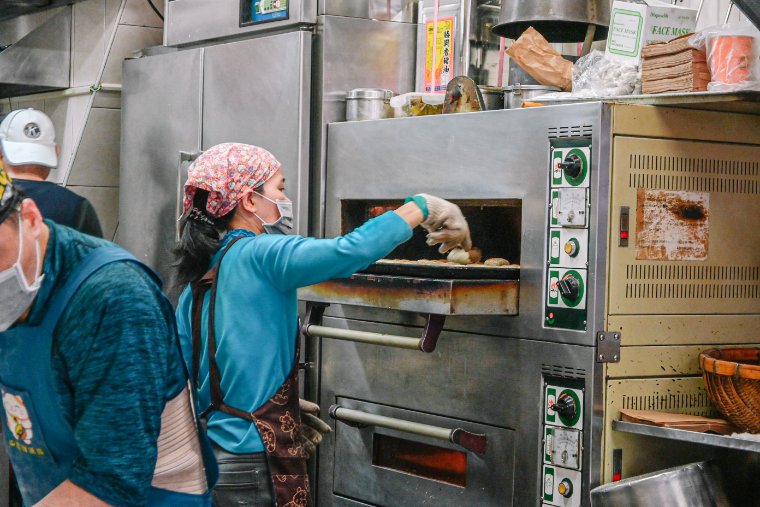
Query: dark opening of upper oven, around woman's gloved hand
pixel 495 227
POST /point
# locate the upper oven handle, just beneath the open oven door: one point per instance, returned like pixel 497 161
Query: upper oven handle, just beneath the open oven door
pixel 428 342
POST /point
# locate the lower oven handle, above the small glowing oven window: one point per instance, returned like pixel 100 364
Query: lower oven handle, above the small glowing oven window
pixel 473 442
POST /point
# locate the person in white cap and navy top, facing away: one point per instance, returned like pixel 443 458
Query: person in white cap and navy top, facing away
pixel 28 152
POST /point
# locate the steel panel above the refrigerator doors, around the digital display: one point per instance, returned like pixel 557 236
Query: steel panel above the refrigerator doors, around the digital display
pixel 193 21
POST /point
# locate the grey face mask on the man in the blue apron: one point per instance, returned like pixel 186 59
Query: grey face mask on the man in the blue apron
pixel 16 294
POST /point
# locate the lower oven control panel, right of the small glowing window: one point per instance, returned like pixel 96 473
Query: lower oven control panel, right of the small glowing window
pixel 562 443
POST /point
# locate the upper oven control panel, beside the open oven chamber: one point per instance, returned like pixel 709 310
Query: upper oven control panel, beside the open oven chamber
pixel 567 236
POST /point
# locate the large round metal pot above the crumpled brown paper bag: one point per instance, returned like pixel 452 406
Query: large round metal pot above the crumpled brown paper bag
pixel 557 20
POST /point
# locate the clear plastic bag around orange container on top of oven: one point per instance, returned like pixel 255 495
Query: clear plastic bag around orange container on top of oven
pixel 732 56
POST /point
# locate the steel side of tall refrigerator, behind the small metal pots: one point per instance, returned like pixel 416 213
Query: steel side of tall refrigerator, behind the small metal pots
pixel 352 53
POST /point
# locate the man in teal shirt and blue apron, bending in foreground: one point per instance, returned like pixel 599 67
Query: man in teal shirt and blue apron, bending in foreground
pixel 94 393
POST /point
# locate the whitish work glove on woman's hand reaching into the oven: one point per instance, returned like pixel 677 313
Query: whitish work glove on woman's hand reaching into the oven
pixel 445 225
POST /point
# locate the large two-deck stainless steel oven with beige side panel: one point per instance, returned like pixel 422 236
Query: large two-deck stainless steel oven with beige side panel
pixel 594 312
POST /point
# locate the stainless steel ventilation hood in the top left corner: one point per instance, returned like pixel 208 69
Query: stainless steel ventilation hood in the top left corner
pixel 39 60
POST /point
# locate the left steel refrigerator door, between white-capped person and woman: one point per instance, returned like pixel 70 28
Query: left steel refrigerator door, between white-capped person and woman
pixel 160 118
